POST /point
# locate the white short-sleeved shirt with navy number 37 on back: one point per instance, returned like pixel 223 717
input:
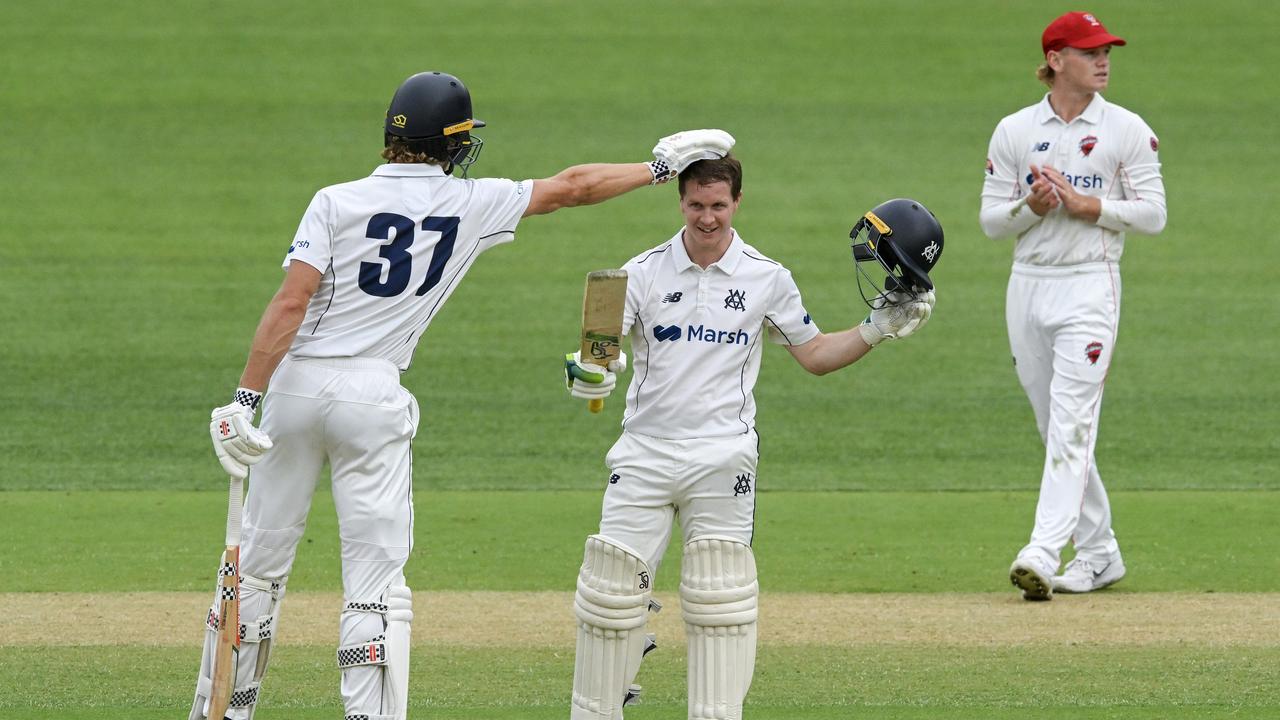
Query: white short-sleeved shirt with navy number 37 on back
pixel 392 248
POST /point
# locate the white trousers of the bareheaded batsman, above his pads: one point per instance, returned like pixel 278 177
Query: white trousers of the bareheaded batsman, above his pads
pixel 708 482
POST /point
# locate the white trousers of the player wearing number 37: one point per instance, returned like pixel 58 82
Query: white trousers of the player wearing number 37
pixel 354 414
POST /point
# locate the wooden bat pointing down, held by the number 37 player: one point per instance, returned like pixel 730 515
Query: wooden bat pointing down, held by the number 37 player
pixel 227 649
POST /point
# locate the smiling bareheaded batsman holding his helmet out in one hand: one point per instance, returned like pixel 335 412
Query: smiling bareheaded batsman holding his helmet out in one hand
pixel 698 309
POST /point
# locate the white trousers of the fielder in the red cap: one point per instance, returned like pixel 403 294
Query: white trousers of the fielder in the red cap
pixel 1063 331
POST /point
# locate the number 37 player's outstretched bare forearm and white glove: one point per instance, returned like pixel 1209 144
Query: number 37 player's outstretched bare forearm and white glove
pixel 588 185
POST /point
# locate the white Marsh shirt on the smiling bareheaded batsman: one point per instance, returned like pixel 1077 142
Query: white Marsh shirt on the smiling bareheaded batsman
pixel 697 338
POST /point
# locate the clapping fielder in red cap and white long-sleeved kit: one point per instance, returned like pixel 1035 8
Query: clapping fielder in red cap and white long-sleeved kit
pixel 1068 179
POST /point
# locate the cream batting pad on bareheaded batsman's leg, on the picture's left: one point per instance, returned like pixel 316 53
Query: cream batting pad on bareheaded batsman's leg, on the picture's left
pixel 611 605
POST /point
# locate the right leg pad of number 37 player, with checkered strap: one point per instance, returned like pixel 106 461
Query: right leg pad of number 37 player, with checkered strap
pixel 376 671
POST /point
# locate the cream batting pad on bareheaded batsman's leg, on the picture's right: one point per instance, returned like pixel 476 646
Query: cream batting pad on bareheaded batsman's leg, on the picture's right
pixel 719 600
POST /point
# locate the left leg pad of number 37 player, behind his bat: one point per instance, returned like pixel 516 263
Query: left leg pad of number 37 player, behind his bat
pixel 259 600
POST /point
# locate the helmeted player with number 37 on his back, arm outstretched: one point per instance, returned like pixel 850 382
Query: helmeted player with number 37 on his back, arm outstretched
pixel 369 268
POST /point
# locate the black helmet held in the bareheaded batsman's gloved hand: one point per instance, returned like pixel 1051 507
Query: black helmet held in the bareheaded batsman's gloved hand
pixel 906 240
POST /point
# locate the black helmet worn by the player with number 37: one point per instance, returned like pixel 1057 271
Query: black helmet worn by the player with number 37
pixel 432 113
